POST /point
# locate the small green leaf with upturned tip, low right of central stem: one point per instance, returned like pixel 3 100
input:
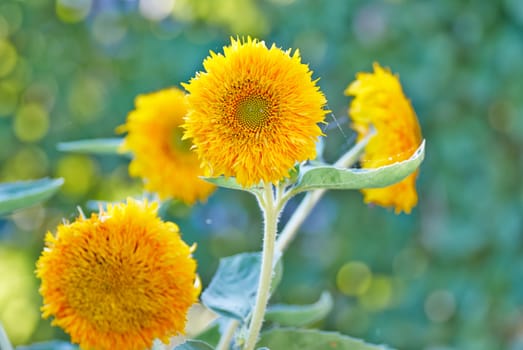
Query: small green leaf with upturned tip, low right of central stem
pixel 300 315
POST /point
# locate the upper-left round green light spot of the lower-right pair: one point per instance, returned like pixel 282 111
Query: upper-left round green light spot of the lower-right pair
pixel 354 278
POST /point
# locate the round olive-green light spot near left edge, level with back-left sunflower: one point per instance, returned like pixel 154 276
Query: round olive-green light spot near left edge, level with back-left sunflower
pixel 31 122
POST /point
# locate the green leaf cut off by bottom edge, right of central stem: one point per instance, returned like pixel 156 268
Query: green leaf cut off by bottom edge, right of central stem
pixel 309 339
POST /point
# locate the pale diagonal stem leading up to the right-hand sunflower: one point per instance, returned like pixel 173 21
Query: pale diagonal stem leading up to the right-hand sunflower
pixel 310 200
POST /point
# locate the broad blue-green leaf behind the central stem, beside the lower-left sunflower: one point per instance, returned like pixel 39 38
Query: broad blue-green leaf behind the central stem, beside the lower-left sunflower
pixel 232 291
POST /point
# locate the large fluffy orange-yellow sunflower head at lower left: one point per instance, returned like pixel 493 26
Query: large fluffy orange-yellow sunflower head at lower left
pixel 118 279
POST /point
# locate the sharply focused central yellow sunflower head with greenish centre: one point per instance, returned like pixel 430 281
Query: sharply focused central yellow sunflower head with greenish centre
pixel 254 112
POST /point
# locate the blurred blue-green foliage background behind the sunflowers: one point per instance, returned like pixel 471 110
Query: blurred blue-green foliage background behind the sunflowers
pixel 448 276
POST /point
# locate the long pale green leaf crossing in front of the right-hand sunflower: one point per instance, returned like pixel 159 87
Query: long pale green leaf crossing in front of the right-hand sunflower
pixel 333 178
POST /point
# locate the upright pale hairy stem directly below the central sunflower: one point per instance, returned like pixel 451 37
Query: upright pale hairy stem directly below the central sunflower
pixel 270 215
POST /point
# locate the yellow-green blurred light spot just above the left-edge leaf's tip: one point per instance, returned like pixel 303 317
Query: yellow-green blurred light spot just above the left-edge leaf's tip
pixel 78 172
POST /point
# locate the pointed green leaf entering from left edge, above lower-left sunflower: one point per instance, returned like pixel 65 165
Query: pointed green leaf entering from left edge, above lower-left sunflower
pixel 23 194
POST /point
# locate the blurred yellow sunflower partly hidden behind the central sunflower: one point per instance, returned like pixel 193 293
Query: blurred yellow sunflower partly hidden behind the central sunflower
pixel 161 157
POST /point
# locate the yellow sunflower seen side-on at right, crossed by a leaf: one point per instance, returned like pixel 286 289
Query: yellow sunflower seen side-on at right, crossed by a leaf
pixel 379 100
